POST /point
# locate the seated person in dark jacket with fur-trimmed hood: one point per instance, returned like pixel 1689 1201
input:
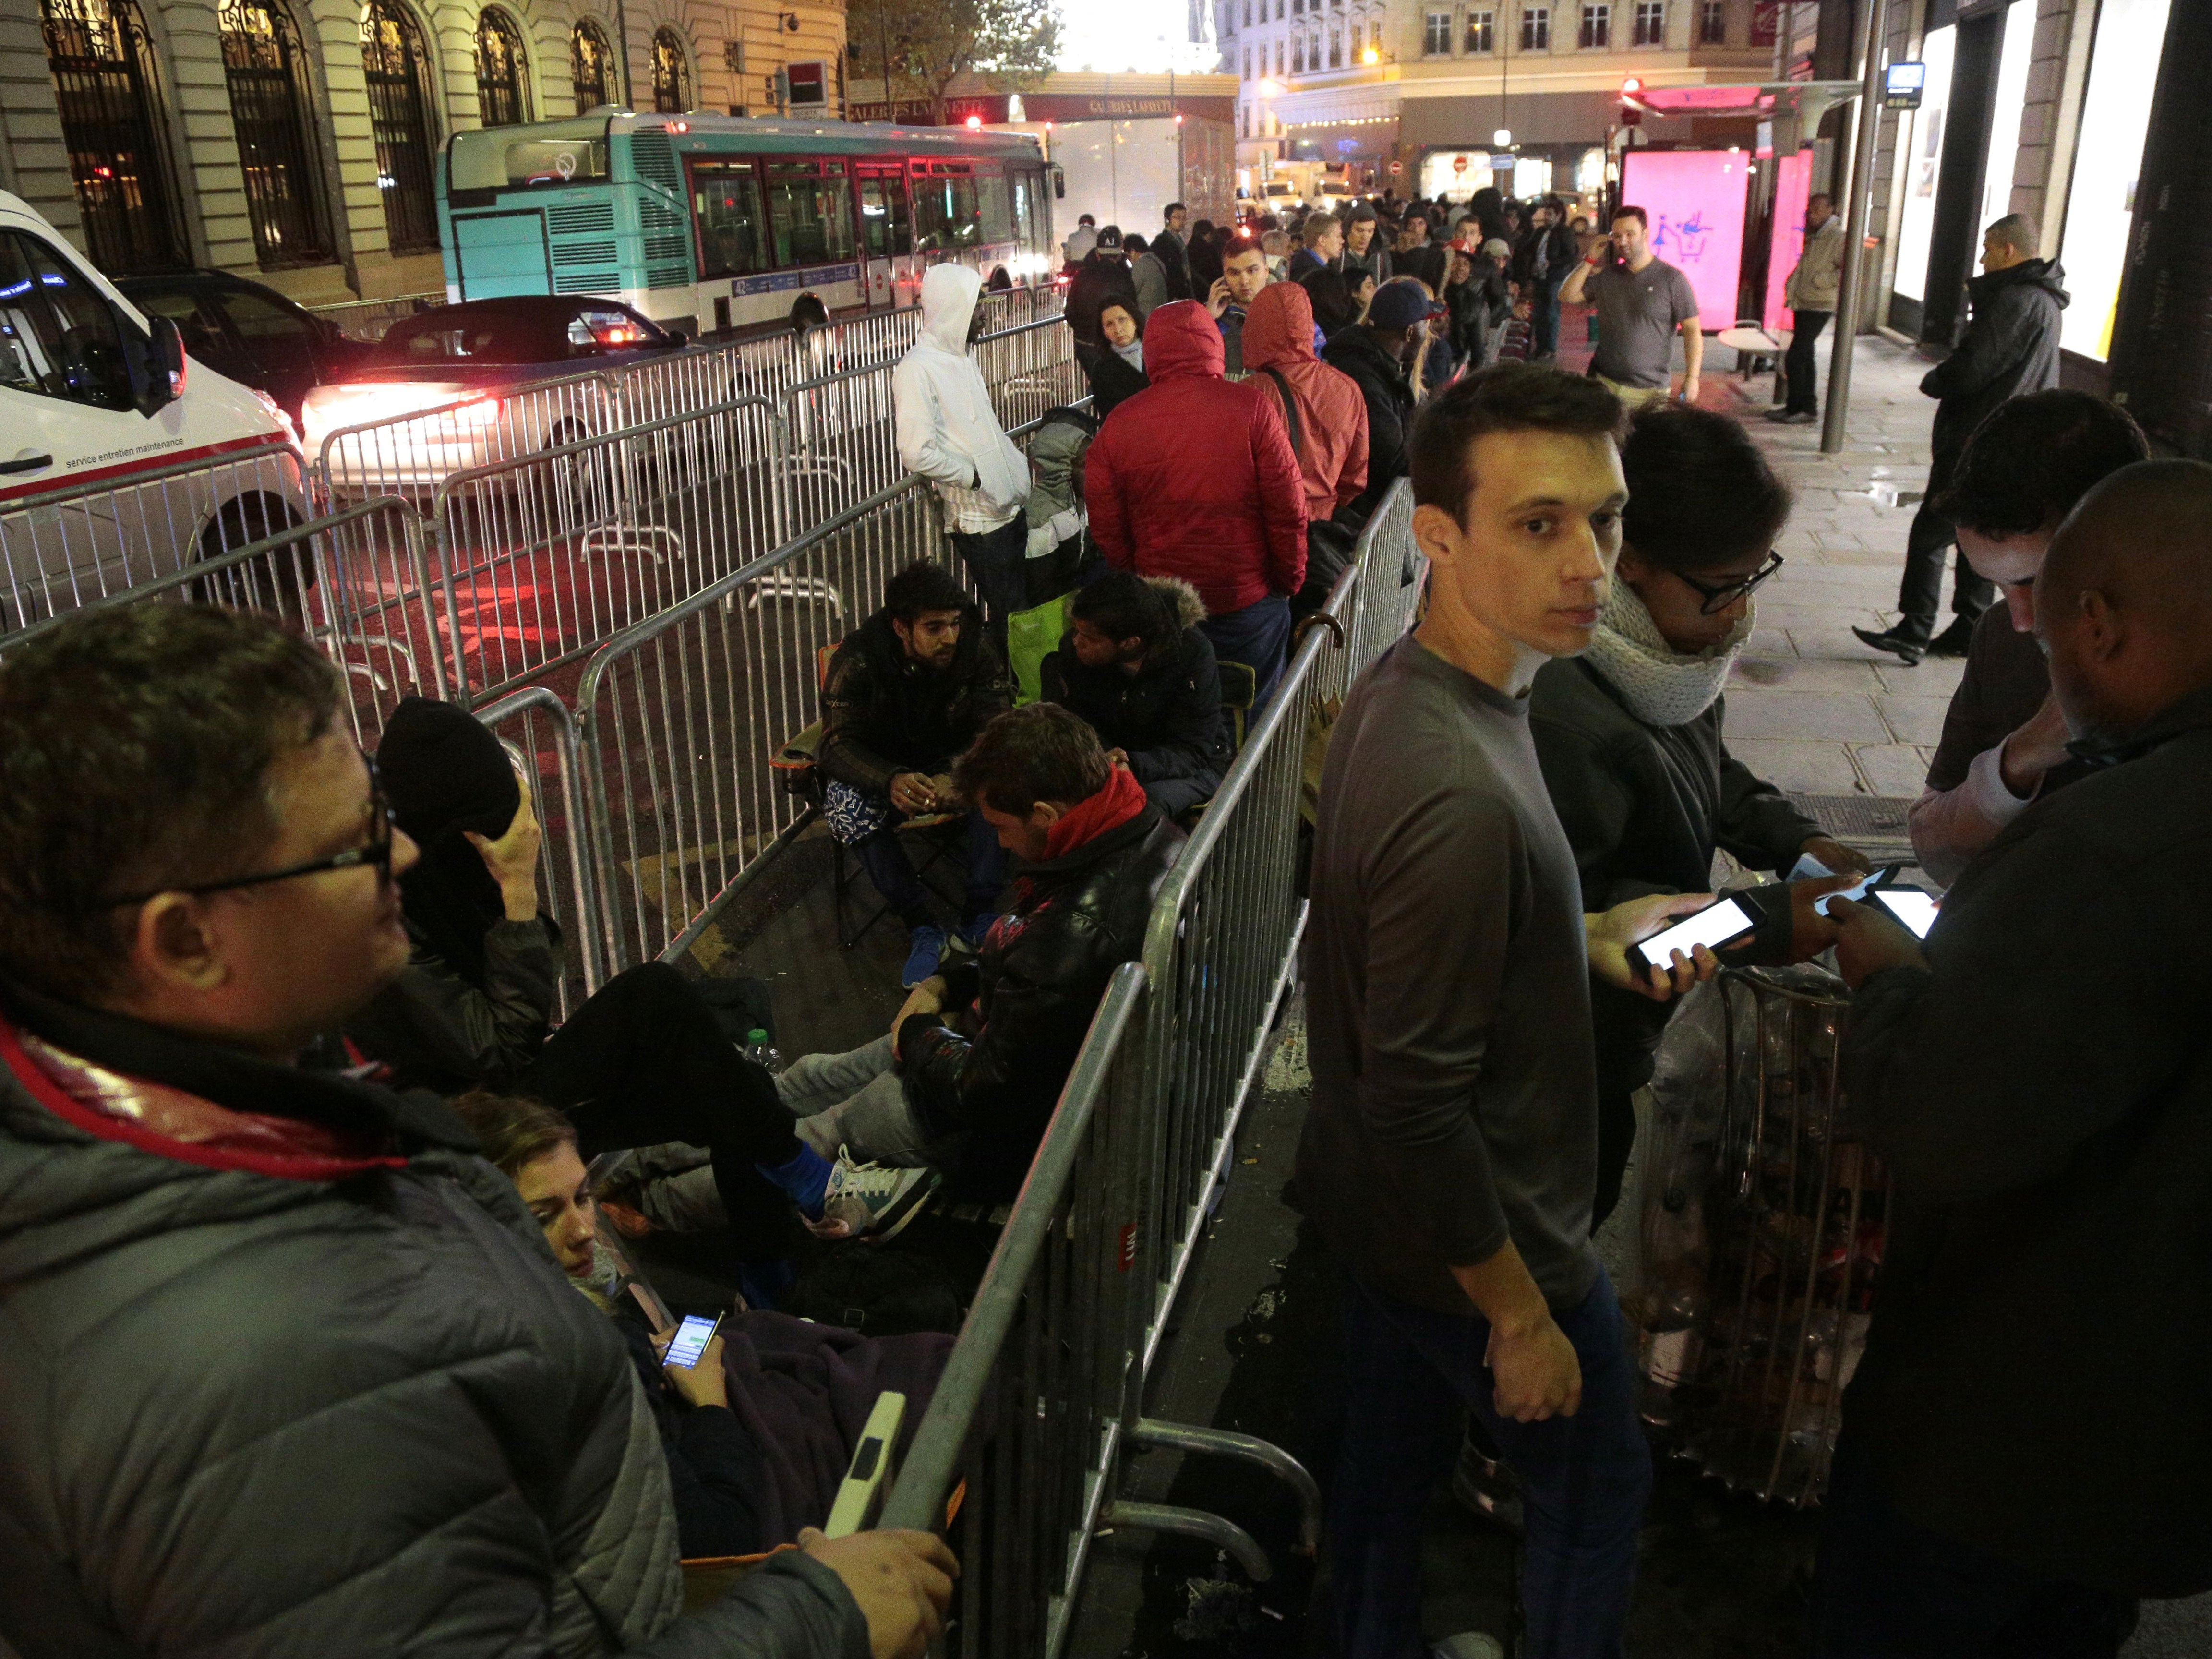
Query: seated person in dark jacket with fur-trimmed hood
pixel 1142 676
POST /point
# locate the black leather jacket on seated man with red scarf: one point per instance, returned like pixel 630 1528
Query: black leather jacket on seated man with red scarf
pixel 1070 924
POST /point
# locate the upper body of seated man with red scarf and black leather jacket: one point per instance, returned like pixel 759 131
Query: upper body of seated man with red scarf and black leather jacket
pixel 988 1050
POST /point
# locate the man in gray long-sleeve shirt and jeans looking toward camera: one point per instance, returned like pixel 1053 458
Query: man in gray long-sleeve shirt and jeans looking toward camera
pixel 1452 1138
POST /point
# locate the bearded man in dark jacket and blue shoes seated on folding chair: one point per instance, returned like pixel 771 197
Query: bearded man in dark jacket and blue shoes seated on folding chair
pixel 908 691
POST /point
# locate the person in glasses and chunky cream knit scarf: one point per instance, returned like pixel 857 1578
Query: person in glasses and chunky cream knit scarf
pixel 1631 733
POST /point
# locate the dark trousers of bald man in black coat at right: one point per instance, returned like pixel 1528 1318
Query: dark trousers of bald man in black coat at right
pixel 1890 1589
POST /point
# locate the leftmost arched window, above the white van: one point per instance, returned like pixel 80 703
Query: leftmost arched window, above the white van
pixel 105 85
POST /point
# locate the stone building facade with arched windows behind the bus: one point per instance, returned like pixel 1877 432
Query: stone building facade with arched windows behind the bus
pixel 295 140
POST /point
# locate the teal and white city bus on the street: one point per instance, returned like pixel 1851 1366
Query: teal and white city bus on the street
pixel 716 222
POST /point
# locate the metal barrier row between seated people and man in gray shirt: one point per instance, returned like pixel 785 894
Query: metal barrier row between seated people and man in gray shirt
pixel 1047 1381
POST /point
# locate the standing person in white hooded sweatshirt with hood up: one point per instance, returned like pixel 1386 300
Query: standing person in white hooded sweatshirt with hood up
pixel 950 435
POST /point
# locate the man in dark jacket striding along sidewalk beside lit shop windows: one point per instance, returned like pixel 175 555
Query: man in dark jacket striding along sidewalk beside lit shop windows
pixel 2012 346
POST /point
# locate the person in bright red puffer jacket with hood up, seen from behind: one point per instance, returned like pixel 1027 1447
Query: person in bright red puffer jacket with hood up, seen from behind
pixel 1196 479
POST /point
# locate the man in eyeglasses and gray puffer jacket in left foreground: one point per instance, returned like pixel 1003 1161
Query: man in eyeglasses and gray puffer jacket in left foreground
pixel 289 1368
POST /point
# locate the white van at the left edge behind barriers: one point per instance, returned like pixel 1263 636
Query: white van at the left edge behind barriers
pixel 160 461
